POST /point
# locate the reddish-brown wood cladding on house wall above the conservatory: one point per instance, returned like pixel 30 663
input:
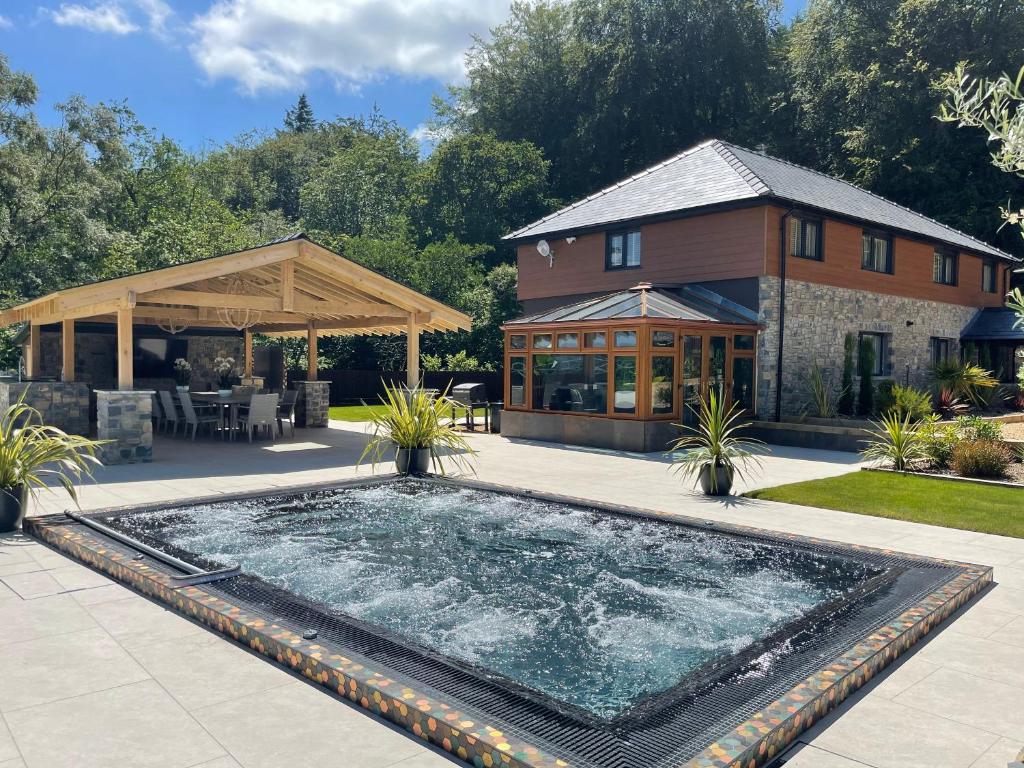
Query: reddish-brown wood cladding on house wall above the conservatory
pixel 716 246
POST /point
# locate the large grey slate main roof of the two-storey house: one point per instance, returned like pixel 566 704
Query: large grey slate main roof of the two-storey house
pixel 716 173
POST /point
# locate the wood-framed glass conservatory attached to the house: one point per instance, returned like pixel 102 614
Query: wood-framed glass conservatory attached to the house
pixel 620 370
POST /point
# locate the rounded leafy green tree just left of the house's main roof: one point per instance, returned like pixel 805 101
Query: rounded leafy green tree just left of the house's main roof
pixel 478 189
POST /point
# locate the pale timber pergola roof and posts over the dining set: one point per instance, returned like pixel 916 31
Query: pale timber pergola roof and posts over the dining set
pixel 291 287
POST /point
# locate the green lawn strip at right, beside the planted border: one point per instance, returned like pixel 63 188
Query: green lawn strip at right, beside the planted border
pixel 987 509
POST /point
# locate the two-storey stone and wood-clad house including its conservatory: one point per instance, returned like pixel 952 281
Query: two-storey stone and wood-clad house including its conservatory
pixel 723 267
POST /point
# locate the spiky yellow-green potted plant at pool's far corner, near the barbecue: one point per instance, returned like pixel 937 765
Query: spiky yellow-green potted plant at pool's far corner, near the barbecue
pixel 417 425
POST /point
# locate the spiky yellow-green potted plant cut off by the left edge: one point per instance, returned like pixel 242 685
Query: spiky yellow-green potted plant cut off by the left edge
pixel 31 454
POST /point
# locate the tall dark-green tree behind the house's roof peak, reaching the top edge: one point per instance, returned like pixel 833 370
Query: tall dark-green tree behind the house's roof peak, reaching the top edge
pixel 608 88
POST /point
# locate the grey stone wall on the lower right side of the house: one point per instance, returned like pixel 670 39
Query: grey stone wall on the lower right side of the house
pixel 818 320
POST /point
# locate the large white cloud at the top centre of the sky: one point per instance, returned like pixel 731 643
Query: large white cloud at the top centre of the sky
pixel 276 45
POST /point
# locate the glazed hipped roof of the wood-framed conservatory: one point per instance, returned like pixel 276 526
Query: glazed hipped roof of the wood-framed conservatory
pixel 682 304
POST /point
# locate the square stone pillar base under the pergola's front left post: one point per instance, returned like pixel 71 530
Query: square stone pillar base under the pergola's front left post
pixel 125 418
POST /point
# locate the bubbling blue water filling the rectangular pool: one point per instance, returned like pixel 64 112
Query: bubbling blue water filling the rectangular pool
pixel 593 610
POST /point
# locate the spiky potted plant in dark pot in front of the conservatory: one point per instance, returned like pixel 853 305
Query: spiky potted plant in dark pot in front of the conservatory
pixel 714 453
